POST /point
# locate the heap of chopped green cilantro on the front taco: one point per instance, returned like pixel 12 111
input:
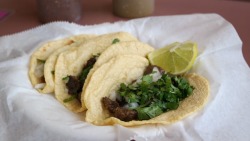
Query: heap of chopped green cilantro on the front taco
pixel 155 98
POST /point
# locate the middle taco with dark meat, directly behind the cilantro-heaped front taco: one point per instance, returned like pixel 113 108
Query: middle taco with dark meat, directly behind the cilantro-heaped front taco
pixel 73 66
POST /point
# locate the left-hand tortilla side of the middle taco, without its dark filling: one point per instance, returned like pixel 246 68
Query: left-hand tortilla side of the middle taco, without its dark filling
pixel 72 62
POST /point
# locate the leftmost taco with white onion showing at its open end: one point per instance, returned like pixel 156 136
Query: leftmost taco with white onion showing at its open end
pixel 40 56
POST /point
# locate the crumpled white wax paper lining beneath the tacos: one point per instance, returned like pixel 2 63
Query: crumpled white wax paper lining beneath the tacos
pixel 26 115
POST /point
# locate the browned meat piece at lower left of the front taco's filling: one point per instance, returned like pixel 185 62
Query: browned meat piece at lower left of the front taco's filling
pixel 119 112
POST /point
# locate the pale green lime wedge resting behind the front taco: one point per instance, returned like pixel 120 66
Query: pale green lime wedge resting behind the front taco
pixel 176 58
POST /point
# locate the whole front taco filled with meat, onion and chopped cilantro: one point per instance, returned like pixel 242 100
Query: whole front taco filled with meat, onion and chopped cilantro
pixel 112 95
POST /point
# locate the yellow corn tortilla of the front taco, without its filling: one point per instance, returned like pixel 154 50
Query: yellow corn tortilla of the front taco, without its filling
pixel 125 69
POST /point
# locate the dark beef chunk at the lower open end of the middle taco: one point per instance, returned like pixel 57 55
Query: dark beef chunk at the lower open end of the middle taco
pixel 73 85
